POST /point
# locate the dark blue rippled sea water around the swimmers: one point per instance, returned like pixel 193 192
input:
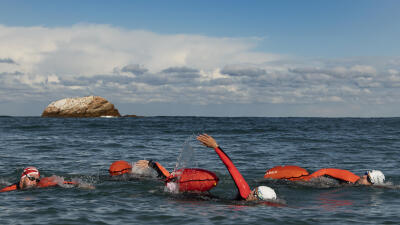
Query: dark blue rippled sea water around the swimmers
pixel 83 148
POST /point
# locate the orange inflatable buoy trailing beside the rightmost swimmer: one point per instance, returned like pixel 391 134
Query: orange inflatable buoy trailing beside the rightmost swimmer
pixel 286 172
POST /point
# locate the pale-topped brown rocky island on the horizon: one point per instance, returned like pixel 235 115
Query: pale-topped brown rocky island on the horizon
pixel 90 106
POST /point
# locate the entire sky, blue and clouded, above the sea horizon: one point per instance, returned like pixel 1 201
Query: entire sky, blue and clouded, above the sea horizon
pixel 203 58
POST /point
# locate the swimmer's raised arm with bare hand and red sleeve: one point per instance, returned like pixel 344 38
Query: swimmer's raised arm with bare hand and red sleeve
pixel 241 184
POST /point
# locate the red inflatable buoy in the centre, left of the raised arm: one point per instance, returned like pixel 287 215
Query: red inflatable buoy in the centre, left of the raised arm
pixel 193 179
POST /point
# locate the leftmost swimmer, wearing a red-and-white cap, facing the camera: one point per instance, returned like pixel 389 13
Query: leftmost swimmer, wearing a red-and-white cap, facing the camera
pixel 30 178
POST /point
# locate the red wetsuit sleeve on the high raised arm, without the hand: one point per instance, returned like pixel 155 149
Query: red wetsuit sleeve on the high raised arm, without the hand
pixel 241 184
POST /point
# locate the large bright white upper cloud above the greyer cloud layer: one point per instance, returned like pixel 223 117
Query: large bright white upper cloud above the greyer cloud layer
pixel 92 49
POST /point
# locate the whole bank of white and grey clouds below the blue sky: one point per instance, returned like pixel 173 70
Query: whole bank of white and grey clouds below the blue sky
pixel 137 66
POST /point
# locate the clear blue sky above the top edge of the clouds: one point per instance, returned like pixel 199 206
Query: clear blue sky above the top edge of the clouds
pixel 309 28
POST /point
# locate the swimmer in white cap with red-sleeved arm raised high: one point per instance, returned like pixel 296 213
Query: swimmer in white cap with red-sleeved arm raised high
pixel 263 193
